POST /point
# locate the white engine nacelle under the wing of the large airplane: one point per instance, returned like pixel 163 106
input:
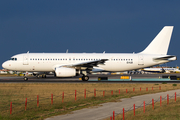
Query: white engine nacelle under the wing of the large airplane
pixel 65 72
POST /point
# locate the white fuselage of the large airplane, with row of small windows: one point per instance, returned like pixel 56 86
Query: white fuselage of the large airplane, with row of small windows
pixel 47 62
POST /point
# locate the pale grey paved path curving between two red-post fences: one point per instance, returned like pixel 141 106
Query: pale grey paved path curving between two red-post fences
pixel 105 110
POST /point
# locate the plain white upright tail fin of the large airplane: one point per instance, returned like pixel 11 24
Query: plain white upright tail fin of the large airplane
pixel 160 43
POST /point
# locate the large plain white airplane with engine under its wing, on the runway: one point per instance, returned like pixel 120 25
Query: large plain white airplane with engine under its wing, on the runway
pixel 72 64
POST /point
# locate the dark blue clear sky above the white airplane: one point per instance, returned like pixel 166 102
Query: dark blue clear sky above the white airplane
pixel 118 26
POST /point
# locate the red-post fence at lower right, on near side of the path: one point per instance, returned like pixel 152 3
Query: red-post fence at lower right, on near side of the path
pixel 143 104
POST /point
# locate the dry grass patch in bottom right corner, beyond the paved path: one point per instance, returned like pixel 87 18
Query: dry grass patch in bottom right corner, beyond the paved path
pixel 164 112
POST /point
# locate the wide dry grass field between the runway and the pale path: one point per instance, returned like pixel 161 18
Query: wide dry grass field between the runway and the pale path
pixel 18 92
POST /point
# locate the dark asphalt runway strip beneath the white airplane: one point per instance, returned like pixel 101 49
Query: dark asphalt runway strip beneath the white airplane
pixel 52 79
